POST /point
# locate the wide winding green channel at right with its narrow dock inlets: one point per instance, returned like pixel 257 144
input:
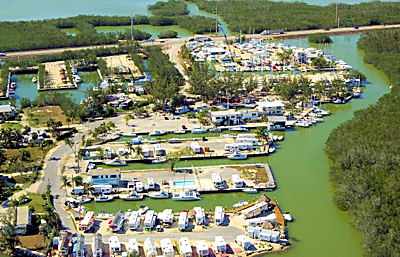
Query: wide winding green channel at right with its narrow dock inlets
pixel 301 171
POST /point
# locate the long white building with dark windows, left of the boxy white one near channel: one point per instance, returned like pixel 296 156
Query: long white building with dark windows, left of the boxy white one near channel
pixel 232 117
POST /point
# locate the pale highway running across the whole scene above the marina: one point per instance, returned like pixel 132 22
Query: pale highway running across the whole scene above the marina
pixel 179 41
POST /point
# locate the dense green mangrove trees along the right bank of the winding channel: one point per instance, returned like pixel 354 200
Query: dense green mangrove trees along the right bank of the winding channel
pixel 365 150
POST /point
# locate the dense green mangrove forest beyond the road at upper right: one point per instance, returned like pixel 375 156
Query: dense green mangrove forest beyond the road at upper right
pixel 259 15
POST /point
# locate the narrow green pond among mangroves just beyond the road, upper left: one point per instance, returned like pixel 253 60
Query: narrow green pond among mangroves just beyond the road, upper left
pixel 153 30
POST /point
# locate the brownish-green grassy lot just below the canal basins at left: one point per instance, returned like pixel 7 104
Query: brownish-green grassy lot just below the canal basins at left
pixel 38 116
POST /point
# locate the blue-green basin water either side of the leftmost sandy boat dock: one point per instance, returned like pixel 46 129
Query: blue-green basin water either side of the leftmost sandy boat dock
pixel 27 89
